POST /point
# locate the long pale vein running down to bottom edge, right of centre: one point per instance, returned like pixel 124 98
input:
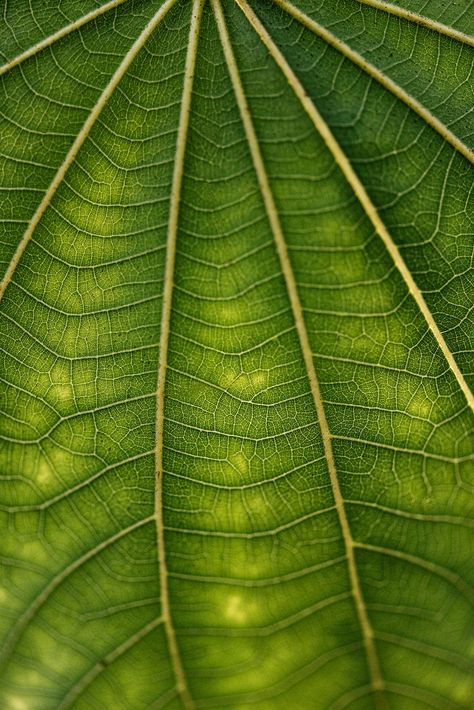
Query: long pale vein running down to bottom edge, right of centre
pixel 270 207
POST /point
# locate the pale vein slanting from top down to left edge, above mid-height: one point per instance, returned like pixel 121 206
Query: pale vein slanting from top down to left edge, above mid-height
pixel 79 141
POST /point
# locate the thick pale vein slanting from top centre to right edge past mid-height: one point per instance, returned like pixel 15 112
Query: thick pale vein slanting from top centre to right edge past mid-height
pixel 352 178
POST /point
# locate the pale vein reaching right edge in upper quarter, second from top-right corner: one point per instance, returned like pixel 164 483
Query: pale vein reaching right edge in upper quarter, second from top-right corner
pixel 379 76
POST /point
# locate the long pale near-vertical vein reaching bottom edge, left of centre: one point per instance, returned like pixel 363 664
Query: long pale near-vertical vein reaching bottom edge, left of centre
pixel 181 684
